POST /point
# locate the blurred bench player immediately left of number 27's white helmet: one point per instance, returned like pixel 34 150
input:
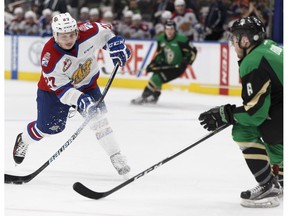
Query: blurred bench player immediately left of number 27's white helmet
pixel 45 23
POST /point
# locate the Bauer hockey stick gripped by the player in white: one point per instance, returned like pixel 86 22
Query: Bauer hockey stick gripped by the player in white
pixel 12 179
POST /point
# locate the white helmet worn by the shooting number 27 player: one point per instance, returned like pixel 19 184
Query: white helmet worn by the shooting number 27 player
pixel 63 23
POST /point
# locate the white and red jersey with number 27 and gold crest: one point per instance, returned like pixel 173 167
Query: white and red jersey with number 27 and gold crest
pixel 69 73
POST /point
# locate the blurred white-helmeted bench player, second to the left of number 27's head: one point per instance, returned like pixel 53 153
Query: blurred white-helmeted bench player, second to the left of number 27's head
pixel 30 25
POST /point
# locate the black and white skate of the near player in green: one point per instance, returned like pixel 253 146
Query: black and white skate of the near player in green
pixel 262 196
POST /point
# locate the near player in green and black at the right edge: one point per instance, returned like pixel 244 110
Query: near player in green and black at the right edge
pixel 258 124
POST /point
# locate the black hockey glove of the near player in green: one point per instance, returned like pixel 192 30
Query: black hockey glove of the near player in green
pixel 217 116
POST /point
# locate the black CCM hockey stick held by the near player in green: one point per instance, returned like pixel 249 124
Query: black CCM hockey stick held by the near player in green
pixel 86 192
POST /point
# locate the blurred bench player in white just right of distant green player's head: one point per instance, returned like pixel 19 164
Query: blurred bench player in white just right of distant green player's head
pixel 184 18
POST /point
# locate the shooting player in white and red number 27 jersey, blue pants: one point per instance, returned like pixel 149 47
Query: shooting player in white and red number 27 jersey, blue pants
pixel 69 79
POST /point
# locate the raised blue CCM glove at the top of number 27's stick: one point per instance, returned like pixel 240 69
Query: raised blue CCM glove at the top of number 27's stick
pixel 118 50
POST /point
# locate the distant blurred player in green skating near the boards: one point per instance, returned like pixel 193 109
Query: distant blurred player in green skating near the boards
pixel 174 53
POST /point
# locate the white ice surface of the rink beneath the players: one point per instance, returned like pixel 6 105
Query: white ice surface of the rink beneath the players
pixel 206 180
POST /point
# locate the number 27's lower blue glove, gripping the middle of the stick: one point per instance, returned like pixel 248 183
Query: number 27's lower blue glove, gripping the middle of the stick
pixel 86 106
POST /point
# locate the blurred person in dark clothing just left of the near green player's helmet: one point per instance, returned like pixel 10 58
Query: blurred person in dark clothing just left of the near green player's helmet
pixel 215 20
